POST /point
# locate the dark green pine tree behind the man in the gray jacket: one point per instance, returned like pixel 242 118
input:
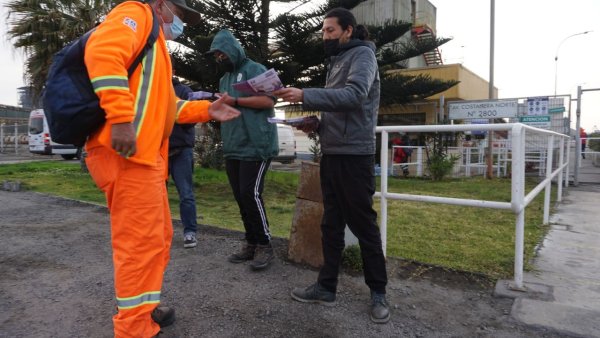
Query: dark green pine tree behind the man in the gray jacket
pixel 300 55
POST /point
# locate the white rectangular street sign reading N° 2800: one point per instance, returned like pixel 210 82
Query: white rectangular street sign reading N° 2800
pixel 482 109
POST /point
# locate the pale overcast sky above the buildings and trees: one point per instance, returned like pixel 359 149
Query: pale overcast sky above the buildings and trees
pixel 528 36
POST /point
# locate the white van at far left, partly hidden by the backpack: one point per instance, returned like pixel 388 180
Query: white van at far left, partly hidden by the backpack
pixel 40 141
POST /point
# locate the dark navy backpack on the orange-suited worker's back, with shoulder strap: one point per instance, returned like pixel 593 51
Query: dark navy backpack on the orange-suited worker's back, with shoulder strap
pixel 70 104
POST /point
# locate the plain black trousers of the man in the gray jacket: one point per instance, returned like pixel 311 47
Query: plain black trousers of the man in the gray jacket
pixel 348 184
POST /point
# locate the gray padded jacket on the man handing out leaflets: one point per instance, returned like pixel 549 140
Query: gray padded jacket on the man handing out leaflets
pixel 349 102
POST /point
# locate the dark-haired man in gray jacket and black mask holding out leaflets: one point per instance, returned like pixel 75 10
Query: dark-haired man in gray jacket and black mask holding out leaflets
pixel 349 104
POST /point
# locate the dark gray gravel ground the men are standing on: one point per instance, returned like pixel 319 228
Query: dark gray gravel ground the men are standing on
pixel 56 281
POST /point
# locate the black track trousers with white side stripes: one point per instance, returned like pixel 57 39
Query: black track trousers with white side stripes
pixel 247 181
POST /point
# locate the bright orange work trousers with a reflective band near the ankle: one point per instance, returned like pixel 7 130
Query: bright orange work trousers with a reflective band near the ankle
pixel 141 236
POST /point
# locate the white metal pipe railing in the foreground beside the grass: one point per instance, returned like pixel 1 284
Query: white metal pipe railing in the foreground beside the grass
pixel 519 199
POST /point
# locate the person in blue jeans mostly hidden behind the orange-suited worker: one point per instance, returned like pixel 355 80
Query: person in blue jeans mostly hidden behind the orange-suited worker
pixel 181 169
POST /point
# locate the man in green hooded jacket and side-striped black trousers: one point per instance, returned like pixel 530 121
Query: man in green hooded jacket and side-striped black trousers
pixel 249 144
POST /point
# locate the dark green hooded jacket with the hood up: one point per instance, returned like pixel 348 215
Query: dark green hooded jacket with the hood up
pixel 250 137
